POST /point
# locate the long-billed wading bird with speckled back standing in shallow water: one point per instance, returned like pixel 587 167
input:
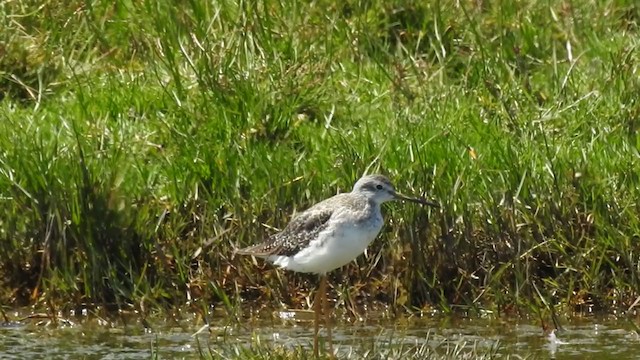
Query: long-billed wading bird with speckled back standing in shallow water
pixel 329 235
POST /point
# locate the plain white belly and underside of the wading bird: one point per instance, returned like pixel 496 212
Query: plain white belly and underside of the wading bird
pixel 334 247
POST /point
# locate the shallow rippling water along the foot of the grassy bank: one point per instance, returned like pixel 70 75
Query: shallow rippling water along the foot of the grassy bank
pixel 581 338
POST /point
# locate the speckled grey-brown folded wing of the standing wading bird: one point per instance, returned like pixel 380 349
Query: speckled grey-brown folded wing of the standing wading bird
pixel 299 232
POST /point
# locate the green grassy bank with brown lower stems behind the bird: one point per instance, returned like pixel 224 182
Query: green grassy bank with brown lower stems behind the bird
pixel 140 142
